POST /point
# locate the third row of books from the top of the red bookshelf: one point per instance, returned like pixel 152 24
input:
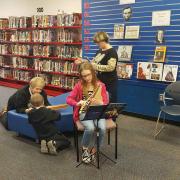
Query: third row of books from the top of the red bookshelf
pixel 41 50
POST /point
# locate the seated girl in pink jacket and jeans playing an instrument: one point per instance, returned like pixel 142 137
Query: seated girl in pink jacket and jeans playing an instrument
pixel 88 86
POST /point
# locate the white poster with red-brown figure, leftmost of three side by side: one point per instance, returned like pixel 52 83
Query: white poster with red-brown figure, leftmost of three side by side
pixel 143 70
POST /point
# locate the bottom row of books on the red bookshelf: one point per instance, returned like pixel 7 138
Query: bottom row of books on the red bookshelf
pixel 55 80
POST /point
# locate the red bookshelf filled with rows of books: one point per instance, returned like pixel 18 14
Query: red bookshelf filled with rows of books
pixel 41 45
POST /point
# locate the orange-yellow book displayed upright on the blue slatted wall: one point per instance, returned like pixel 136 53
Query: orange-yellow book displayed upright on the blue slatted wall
pixel 160 53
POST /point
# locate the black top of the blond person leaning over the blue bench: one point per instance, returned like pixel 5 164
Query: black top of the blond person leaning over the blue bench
pixel 21 98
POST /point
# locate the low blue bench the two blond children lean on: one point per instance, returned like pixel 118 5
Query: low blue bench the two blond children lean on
pixel 19 122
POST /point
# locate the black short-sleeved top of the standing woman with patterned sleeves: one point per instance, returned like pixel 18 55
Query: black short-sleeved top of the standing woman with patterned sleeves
pixel 107 77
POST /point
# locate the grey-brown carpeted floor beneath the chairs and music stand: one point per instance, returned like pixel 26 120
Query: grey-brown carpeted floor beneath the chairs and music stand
pixel 140 157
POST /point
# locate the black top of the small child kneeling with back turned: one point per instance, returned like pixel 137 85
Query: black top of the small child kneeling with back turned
pixel 42 120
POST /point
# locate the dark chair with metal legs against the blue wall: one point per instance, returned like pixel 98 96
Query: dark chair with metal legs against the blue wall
pixel 171 105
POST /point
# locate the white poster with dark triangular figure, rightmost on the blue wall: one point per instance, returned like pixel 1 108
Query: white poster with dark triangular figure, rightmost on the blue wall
pixel 170 73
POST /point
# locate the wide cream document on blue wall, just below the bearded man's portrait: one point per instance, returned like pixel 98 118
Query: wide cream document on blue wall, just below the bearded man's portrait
pixel 132 32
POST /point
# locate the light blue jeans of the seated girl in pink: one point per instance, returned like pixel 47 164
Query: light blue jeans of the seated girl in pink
pixel 89 140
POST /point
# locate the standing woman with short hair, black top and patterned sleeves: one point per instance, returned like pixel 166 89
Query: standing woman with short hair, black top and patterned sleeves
pixel 104 63
